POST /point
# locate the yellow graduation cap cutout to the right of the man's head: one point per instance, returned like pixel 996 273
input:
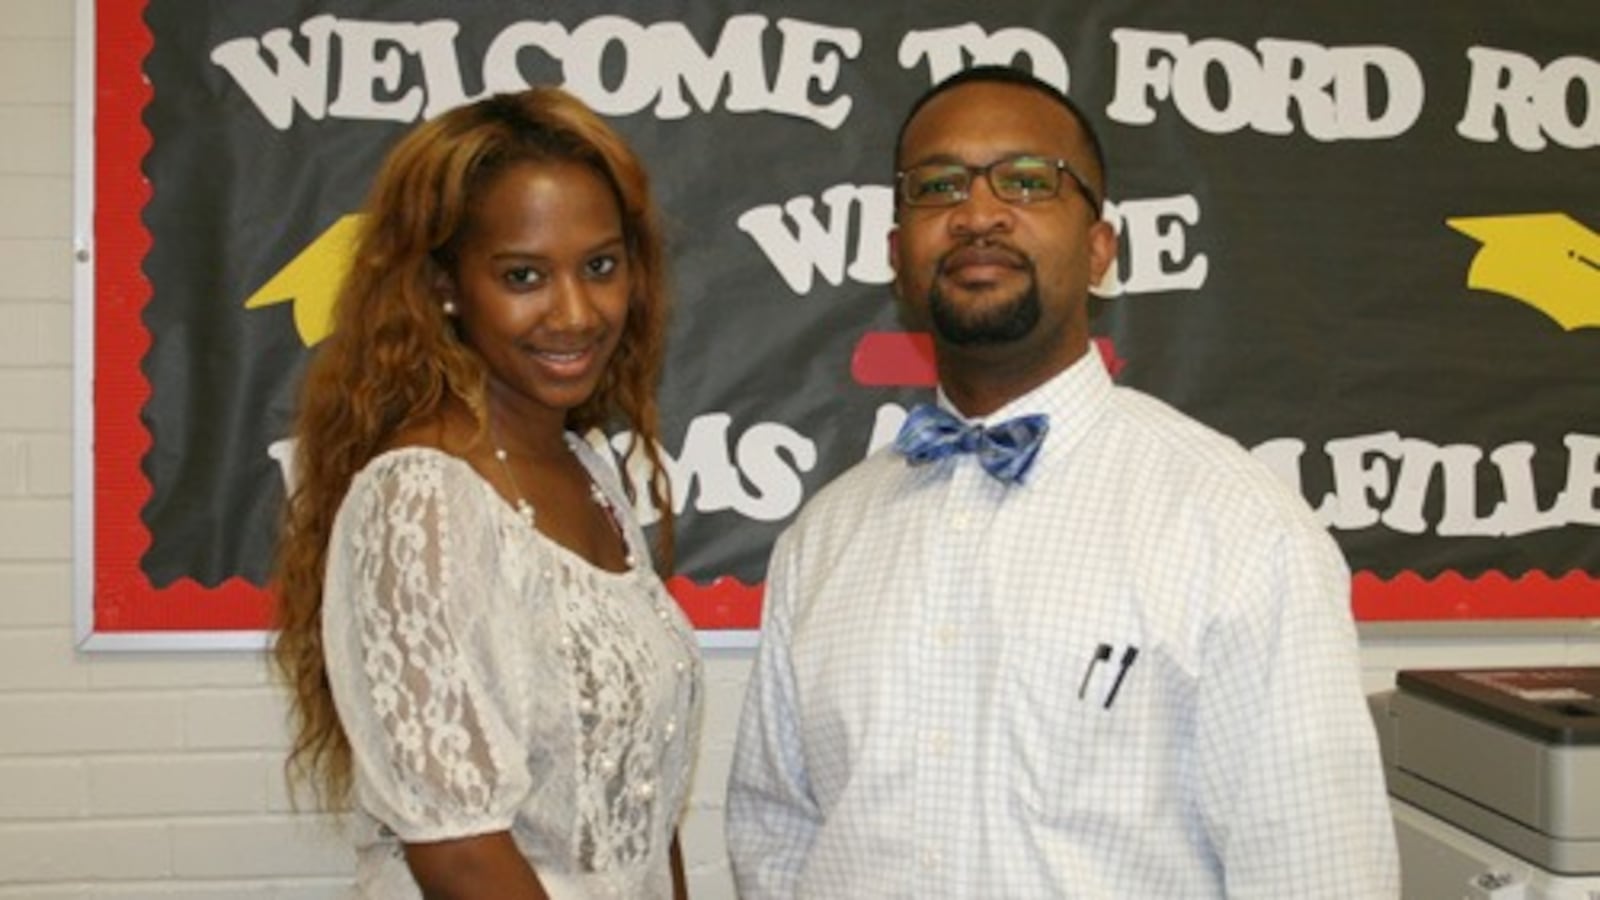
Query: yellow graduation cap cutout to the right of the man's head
pixel 1546 260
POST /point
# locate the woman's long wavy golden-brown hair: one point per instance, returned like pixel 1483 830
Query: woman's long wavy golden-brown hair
pixel 394 361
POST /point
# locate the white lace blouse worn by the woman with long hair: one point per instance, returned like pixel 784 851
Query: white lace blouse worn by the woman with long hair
pixel 492 680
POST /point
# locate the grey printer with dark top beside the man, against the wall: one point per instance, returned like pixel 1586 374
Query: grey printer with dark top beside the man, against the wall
pixel 1497 781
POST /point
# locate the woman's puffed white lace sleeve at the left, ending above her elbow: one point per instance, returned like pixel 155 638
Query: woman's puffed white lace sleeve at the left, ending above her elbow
pixel 407 611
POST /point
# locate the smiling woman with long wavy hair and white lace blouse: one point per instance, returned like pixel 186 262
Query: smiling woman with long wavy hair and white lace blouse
pixel 481 654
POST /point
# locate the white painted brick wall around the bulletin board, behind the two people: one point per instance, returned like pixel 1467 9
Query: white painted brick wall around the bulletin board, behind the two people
pixel 156 776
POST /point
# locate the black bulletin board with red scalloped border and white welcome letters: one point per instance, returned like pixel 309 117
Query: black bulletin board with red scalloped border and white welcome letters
pixel 1359 239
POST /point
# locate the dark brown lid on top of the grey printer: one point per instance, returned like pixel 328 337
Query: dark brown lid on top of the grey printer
pixel 1558 705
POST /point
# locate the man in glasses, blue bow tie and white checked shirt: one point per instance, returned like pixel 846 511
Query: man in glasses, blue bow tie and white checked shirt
pixel 1114 664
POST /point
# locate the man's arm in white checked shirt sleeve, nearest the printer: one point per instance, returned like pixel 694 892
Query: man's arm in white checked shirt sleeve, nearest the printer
pixel 1292 784
